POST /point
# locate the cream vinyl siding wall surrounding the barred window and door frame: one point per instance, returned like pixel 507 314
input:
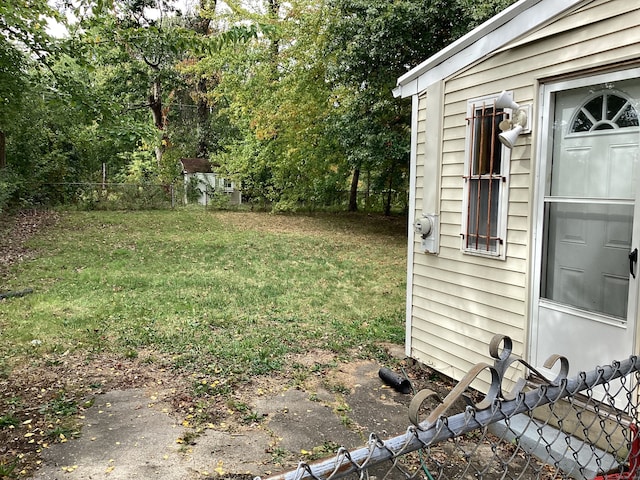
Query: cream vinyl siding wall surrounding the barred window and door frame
pixel 460 301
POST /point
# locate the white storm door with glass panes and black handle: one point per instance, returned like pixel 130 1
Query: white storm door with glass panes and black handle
pixel 586 306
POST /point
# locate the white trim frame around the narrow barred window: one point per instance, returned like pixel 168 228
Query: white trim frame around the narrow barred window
pixel 503 201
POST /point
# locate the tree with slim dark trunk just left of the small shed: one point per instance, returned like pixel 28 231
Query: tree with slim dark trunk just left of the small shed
pixel 137 45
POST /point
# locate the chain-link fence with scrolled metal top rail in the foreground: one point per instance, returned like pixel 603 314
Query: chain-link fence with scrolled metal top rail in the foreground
pixel 579 427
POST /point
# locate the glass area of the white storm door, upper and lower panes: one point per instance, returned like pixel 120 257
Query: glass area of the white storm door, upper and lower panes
pixel 589 206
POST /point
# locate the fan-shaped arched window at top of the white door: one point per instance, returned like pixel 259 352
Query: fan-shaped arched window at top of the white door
pixel 606 110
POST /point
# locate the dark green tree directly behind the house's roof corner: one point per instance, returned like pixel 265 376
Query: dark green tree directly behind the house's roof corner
pixel 372 43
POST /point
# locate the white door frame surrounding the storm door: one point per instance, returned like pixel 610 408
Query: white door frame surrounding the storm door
pixel 544 148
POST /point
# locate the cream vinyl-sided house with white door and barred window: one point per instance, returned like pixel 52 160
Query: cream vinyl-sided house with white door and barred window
pixel 549 56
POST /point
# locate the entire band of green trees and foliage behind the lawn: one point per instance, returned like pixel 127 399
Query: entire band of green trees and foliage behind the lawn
pixel 292 99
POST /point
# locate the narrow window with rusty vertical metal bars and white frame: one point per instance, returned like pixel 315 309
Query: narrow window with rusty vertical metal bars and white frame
pixel 485 180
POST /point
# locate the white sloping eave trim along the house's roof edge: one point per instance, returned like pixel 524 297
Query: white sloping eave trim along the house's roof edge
pixel 515 21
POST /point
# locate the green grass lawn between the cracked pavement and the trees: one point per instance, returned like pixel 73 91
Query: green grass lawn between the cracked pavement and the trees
pixel 235 293
